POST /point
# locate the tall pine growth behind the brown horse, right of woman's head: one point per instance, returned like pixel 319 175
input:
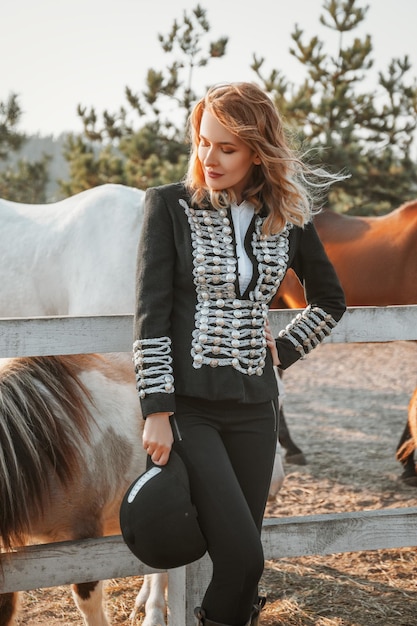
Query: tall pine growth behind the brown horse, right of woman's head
pixel 345 127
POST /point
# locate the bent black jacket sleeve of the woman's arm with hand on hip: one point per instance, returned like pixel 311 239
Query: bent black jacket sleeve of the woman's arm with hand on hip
pixel 324 295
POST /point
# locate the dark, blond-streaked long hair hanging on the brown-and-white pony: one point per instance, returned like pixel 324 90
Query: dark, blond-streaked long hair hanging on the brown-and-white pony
pixel 44 417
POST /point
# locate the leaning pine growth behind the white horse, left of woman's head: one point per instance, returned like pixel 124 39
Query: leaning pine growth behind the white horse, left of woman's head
pixel 152 150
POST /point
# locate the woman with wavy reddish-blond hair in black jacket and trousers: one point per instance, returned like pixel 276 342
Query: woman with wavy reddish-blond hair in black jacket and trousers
pixel 212 254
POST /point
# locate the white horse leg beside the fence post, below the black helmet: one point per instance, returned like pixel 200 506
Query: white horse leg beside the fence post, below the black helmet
pixel 152 596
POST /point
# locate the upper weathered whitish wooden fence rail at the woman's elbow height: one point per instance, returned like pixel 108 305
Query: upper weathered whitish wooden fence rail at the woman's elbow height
pixel 113 333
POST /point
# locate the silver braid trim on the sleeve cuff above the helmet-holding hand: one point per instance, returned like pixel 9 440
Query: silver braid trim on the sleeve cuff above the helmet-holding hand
pixel 152 359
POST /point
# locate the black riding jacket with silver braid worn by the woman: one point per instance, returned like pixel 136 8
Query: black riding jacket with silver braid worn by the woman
pixel 195 334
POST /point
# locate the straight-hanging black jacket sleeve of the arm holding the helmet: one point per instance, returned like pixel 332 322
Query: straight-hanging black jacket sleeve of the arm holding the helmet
pixel 152 354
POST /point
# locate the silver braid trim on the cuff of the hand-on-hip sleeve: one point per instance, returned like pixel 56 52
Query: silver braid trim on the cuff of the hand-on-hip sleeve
pixel 308 329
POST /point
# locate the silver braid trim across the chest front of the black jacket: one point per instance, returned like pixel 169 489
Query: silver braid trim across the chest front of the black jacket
pixel 230 330
